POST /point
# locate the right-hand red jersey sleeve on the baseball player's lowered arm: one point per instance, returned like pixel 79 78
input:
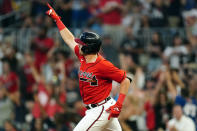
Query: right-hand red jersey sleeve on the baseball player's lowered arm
pixel 111 72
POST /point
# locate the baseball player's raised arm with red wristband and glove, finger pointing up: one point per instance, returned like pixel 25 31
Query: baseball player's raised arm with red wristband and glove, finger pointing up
pixel 67 36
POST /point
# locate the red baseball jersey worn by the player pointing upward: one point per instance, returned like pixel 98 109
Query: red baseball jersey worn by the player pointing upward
pixel 95 79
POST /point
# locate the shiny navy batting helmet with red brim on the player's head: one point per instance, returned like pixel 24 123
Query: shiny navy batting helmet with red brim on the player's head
pixel 91 42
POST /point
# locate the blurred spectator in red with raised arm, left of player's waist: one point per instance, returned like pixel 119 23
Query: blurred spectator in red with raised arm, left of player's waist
pixel 44 96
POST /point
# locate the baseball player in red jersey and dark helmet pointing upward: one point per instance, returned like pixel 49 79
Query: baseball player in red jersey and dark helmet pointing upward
pixel 95 80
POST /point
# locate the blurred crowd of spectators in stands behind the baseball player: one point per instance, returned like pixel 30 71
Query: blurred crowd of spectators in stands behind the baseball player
pixel 155 41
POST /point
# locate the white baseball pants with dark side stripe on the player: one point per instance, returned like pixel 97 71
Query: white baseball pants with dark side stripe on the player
pixel 96 119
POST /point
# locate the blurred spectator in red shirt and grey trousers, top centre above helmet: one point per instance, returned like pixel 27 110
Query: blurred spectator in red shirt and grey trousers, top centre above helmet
pixel 111 16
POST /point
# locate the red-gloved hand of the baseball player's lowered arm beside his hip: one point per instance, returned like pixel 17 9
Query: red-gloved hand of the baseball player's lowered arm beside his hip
pixel 114 110
